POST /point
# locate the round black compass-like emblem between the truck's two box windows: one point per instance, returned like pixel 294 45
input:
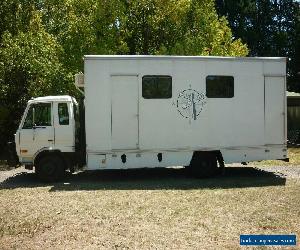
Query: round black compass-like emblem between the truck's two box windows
pixel 190 103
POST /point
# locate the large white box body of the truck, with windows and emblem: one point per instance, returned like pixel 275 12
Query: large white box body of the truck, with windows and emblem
pixel 235 105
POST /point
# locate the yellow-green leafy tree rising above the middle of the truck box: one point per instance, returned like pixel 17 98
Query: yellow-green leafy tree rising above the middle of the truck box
pixel 178 27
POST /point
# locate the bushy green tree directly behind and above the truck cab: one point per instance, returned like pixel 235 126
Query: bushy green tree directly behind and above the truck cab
pixel 29 67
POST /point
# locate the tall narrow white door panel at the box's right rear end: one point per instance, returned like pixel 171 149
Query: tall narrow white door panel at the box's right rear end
pixel 274 110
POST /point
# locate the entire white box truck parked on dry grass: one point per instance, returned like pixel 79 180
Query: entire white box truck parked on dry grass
pixel 160 111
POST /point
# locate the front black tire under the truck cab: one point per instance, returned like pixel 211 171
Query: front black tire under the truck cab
pixel 50 168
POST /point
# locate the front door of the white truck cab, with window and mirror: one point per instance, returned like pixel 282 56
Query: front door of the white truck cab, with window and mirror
pixel 37 131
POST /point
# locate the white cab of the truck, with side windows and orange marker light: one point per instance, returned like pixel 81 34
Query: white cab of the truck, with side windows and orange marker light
pixel 47 129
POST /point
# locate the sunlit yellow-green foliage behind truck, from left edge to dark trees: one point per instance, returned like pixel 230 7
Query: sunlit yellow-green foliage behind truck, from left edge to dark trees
pixel 42 42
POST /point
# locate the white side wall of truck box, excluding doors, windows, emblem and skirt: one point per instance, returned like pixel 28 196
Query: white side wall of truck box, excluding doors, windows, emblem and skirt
pixel 223 122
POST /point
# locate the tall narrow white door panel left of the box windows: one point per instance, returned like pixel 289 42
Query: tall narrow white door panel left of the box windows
pixel 124 105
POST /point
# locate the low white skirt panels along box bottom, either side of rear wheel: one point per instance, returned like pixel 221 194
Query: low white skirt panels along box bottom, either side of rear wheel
pixel 182 158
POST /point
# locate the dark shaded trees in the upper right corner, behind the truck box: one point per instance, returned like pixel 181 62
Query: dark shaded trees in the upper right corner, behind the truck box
pixel 269 27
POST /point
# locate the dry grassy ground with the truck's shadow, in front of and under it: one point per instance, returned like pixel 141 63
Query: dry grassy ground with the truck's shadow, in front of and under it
pixel 146 209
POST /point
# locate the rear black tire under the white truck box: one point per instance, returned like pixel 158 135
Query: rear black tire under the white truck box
pixel 203 165
